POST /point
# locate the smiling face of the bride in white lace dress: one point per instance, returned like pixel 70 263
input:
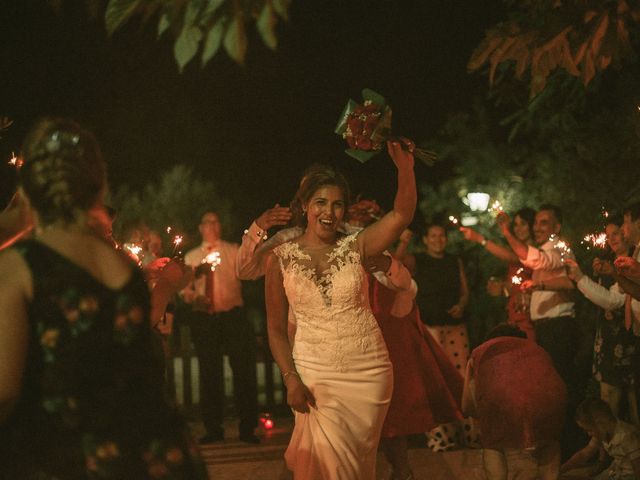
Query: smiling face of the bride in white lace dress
pixel 325 211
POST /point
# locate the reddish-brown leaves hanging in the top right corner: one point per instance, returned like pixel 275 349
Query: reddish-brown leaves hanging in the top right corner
pixel 579 37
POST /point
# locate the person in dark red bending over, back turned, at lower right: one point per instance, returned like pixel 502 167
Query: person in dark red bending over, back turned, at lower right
pixel 519 400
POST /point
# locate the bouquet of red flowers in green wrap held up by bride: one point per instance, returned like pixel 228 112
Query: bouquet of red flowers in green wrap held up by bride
pixel 367 126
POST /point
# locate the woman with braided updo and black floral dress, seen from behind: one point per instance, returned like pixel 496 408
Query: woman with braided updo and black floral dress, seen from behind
pixel 80 390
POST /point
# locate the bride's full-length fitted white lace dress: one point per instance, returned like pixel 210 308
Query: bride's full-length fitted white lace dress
pixel 341 356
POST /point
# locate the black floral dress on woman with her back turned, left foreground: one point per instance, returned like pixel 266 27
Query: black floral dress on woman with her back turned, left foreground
pixel 92 403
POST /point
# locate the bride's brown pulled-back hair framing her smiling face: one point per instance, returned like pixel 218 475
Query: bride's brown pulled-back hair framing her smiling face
pixel 314 178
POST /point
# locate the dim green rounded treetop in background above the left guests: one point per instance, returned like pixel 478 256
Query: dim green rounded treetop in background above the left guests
pixel 177 199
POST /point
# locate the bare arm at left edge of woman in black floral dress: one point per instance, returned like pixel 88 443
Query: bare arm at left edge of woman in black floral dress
pixel 15 291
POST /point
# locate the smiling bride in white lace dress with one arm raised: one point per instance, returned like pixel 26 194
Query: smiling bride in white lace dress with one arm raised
pixel 338 374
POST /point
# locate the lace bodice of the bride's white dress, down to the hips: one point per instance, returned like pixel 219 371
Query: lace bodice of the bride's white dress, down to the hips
pixel 327 291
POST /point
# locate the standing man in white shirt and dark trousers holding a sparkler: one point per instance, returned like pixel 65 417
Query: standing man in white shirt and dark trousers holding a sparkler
pixel 219 325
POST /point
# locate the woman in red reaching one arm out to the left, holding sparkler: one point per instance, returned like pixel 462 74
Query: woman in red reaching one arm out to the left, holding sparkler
pixel 517 275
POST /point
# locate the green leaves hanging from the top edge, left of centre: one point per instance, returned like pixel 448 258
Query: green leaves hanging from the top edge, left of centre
pixel 203 26
